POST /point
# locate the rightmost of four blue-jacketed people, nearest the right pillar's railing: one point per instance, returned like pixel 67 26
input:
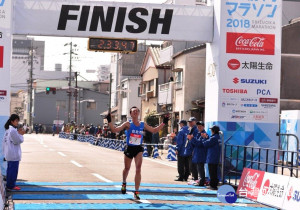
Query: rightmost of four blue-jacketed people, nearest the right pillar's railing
pixel 213 156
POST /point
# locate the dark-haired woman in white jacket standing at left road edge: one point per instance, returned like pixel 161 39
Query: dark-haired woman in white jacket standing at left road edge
pixel 12 150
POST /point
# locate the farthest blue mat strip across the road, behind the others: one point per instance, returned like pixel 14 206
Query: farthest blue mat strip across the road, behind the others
pixel 105 184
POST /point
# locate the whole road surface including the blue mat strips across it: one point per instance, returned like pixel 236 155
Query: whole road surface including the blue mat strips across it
pixel 48 160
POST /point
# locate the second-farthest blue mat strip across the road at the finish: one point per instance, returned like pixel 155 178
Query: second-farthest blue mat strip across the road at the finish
pixel 113 189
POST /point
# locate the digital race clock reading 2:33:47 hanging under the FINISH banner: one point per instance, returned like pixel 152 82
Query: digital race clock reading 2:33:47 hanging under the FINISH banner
pixel 112 45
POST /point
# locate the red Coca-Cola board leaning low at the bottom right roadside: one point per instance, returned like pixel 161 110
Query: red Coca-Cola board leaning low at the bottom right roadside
pixel 250 183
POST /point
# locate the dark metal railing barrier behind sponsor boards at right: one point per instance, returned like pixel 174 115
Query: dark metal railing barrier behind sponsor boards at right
pixel 237 157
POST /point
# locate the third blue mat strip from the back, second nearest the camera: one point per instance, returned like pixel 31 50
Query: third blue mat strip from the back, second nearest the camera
pixel 118 197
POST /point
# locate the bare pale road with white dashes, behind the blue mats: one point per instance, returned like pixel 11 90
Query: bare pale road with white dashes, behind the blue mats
pixel 47 158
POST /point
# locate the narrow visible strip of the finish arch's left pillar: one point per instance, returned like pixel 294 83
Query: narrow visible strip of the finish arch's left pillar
pixel 5 56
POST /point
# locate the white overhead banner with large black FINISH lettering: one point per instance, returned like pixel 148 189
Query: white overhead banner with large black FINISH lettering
pixel 75 18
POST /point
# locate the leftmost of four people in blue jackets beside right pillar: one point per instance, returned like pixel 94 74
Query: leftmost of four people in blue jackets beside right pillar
pixel 183 152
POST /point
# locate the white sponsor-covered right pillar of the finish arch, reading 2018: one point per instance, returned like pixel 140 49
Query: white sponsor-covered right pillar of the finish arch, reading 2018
pixel 243 71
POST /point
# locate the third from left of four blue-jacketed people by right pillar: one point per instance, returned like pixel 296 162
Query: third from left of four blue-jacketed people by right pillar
pixel 199 153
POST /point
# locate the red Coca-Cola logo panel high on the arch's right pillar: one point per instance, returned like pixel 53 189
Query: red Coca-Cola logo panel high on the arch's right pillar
pixel 246 43
